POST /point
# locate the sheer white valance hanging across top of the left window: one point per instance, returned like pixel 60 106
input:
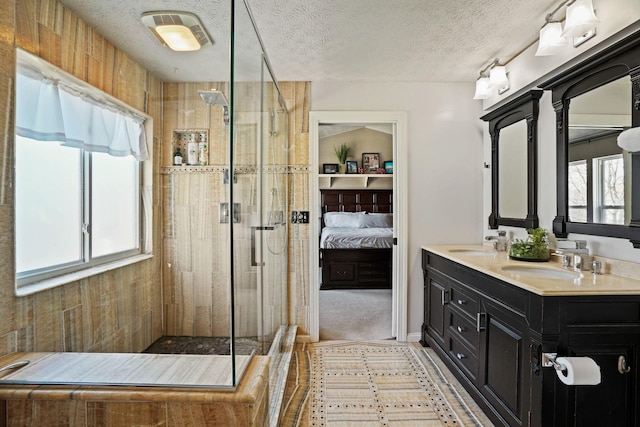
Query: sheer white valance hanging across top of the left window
pixel 49 107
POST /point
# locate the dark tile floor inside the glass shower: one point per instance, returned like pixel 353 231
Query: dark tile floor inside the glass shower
pixel 207 345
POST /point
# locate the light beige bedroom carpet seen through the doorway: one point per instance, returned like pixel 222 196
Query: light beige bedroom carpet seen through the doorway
pixel 355 314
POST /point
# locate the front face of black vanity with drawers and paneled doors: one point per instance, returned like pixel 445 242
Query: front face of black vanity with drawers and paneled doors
pixel 485 339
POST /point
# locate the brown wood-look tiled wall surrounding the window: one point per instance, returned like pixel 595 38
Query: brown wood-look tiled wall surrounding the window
pixel 118 311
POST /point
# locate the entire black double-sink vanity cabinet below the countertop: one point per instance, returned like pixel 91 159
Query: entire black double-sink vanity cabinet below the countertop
pixel 492 334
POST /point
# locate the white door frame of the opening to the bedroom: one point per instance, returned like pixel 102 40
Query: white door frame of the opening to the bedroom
pixel 400 211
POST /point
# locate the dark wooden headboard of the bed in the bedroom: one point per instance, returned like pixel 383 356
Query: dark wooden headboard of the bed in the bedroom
pixel 357 201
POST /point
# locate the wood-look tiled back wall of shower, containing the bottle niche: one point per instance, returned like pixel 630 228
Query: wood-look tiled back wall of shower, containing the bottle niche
pixel 196 249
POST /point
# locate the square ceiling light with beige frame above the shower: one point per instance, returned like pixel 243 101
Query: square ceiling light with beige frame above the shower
pixel 180 31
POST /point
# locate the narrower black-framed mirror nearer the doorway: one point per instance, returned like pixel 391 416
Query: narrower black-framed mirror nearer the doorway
pixel 514 140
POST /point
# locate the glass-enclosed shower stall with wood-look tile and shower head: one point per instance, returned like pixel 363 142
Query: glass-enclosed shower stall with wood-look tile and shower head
pixel 225 233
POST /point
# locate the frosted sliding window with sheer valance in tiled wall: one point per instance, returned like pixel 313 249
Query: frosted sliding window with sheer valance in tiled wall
pixel 78 162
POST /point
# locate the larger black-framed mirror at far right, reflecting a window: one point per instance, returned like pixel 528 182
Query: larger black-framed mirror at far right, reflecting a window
pixel 594 102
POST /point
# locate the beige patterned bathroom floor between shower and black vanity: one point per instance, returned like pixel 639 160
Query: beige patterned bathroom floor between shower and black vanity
pixel 373 383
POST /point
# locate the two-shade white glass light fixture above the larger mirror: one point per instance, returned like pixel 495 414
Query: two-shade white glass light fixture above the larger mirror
pixel 580 23
